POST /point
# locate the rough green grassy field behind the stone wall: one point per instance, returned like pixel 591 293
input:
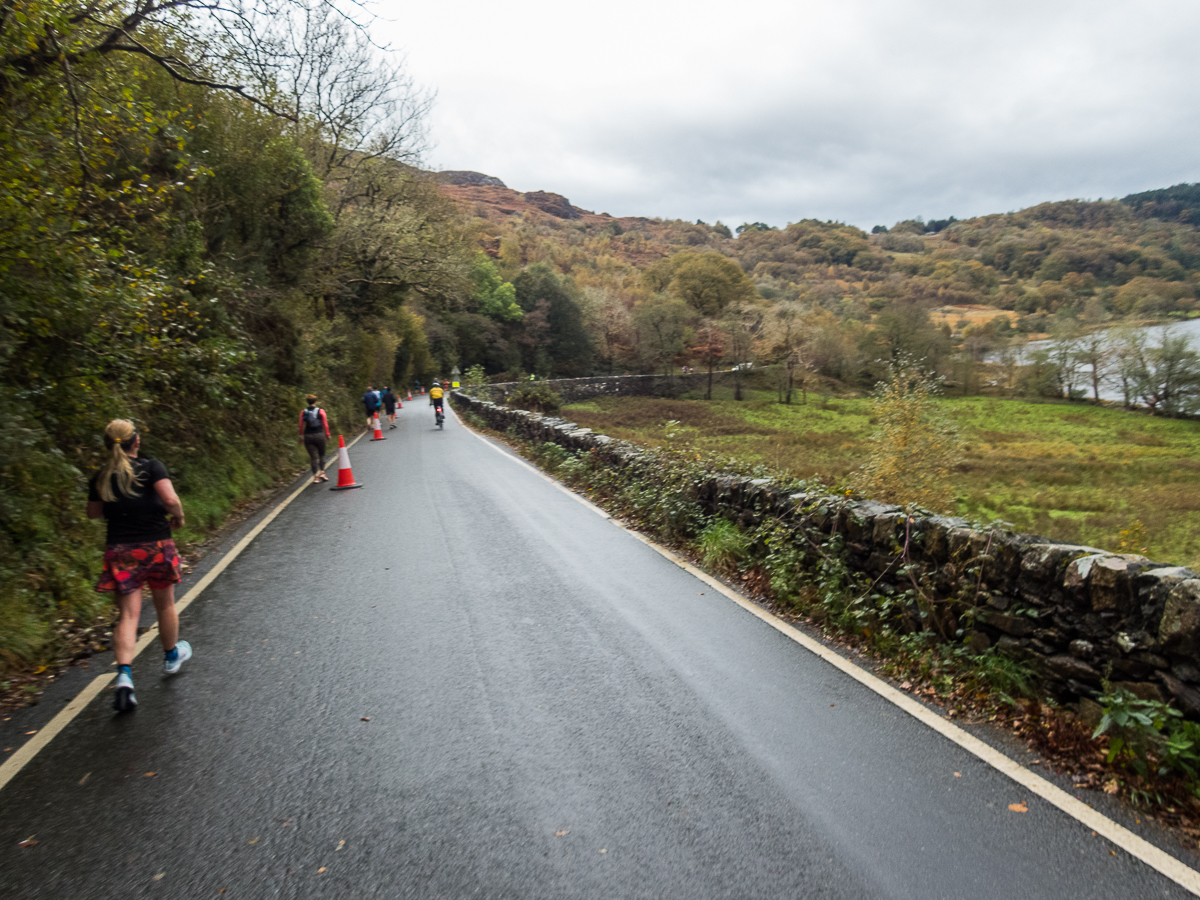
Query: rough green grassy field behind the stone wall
pixel 1084 475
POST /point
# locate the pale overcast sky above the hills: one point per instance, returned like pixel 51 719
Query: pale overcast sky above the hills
pixel 866 112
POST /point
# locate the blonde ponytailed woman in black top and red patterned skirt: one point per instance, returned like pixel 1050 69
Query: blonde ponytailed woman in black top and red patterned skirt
pixel 136 497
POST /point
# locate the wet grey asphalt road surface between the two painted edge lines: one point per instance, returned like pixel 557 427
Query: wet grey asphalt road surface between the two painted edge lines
pixel 555 712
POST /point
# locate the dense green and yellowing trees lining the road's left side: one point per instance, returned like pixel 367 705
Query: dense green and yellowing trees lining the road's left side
pixel 206 213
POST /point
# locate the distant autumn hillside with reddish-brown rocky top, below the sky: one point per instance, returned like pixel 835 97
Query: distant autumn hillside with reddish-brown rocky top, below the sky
pixel 951 291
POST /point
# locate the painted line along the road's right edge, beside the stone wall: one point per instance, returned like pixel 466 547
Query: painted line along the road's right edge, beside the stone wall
pixel 1081 812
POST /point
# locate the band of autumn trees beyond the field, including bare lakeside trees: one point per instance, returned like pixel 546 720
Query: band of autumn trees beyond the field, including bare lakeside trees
pixel 830 299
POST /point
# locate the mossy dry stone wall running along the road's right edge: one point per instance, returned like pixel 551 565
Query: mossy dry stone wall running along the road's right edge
pixel 1076 615
